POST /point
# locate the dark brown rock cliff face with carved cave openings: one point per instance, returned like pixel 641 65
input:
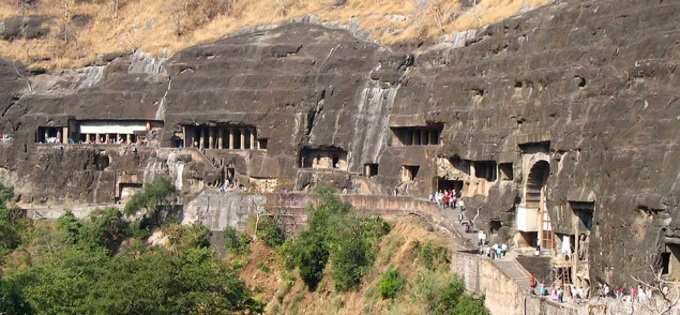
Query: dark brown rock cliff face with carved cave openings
pixel 573 107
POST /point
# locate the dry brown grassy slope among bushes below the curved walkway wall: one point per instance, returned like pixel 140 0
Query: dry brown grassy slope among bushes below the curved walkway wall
pixel 292 296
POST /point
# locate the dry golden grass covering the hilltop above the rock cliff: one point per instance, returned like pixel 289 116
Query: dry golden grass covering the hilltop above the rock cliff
pixel 165 26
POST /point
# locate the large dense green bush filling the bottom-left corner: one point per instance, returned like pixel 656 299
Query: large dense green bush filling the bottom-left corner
pixel 80 280
